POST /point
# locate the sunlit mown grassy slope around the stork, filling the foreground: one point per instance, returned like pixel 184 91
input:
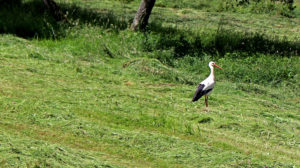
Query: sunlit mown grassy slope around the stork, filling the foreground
pixel 67 104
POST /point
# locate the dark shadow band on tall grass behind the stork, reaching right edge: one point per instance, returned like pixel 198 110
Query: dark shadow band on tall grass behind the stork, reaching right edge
pixel 219 43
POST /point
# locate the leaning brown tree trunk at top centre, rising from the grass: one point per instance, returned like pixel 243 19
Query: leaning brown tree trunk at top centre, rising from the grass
pixel 141 18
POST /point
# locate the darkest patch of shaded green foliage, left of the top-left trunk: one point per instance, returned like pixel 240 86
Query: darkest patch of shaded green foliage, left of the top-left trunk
pixel 29 19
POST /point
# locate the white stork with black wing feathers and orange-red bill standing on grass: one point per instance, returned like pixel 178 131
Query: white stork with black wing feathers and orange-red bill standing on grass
pixel 206 86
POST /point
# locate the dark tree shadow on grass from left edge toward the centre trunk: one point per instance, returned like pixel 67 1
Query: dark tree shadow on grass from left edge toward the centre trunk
pixel 31 19
